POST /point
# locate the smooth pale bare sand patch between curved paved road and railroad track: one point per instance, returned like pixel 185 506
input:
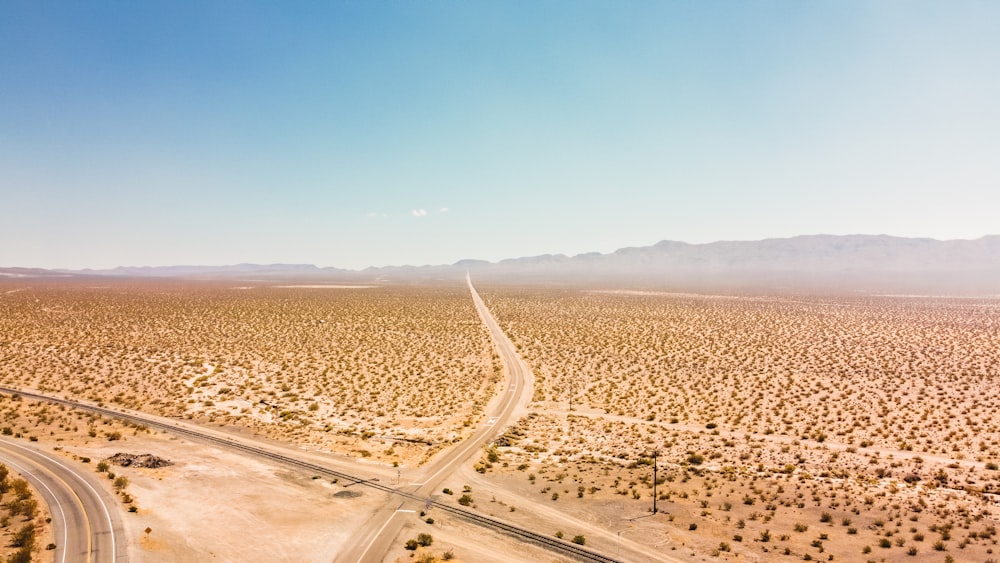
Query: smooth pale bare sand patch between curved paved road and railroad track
pixel 214 504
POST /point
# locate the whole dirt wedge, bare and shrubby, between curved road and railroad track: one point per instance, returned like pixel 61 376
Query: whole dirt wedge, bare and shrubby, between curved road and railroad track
pixel 209 503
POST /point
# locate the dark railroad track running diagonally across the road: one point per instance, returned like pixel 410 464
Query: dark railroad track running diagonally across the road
pixel 548 542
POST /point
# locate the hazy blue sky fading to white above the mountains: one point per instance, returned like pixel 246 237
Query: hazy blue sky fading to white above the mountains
pixel 361 133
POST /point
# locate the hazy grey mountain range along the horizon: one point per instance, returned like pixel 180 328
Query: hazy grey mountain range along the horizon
pixel 872 263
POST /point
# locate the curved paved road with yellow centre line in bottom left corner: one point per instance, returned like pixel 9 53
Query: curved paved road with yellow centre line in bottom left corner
pixel 87 529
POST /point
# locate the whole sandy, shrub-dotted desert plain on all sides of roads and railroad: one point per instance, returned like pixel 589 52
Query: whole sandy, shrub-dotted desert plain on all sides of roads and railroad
pixel 781 427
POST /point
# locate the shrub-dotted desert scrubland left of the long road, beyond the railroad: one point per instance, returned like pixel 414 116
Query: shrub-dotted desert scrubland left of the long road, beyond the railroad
pixel 389 373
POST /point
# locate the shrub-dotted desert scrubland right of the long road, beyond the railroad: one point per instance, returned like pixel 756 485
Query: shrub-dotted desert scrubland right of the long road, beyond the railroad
pixel 850 429
